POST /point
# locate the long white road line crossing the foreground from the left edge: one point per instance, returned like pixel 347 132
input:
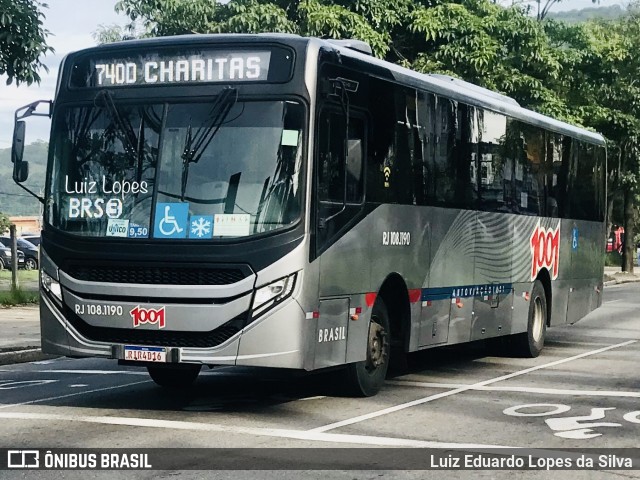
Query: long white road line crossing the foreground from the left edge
pixel 268 432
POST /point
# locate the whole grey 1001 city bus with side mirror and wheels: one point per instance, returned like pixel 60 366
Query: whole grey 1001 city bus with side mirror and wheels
pixel 277 201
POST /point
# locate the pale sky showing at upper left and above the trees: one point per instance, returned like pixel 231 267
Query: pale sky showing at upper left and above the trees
pixel 71 23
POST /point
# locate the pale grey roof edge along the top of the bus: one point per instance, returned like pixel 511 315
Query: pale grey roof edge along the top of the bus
pixel 453 88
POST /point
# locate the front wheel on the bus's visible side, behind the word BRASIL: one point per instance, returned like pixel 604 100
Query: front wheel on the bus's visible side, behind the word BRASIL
pixel 365 378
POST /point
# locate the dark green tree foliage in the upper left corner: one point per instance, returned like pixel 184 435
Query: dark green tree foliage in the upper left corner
pixel 22 40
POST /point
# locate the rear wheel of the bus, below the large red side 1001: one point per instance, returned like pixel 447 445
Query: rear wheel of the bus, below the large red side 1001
pixel 530 343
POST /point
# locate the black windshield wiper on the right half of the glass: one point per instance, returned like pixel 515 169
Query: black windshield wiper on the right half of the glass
pixel 196 145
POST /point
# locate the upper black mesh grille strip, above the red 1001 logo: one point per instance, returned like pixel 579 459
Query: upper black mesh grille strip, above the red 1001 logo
pixel 157 275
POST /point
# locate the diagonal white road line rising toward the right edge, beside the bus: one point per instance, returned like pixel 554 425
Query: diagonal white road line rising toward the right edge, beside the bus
pixel 431 398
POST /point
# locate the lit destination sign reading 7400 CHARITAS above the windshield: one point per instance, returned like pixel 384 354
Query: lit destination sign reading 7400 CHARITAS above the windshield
pixel 176 67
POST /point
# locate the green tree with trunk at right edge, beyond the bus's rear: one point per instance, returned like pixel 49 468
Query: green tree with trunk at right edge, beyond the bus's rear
pixel 600 69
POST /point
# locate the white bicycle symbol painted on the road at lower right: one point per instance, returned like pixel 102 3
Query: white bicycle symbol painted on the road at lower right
pixel 577 427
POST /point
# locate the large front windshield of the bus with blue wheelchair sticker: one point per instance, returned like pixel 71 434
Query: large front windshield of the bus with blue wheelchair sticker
pixel 222 168
